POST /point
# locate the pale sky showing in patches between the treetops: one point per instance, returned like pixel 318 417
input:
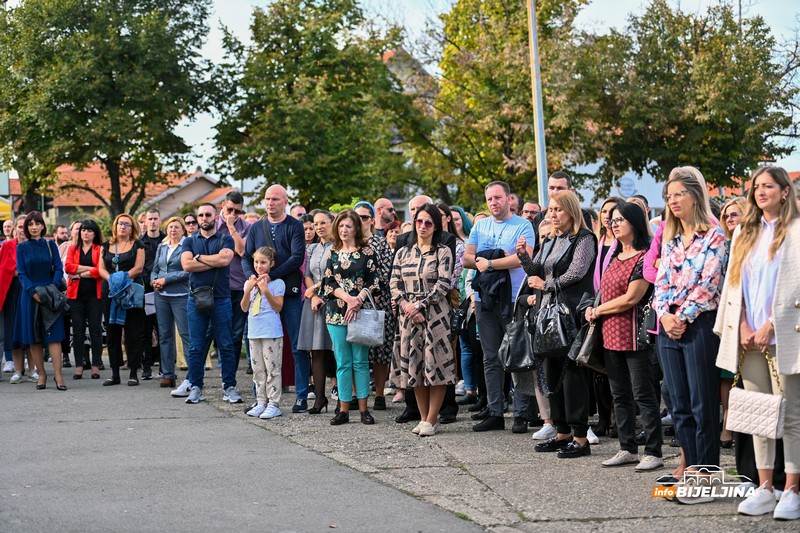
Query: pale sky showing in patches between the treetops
pixel 599 15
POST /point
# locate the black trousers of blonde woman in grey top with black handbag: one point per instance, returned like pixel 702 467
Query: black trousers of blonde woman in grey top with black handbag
pixel 569 405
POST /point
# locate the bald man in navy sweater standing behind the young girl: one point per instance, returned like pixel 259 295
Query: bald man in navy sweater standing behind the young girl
pixel 286 235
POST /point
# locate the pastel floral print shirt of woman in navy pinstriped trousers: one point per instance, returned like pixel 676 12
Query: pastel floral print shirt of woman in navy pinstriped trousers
pixel 690 279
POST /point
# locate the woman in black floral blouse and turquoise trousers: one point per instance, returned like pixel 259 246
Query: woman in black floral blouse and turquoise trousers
pixel 350 273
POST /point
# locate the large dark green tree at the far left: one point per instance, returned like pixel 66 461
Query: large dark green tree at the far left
pixel 100 80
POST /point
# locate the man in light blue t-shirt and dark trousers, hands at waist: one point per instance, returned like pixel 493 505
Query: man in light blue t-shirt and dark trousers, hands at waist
pixel 499 234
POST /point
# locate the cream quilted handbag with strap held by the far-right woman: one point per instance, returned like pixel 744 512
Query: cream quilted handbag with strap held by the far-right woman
pixel 756 413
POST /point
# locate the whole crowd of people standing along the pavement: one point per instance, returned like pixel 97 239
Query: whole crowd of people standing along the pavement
pixel 682 302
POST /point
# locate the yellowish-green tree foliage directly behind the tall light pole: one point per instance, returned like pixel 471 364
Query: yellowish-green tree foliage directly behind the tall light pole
pixel 483 105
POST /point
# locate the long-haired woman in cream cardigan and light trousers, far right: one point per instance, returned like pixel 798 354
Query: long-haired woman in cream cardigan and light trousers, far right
pixel 760 314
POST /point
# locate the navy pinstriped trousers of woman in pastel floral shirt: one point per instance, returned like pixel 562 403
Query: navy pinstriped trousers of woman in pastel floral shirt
pixel 692 377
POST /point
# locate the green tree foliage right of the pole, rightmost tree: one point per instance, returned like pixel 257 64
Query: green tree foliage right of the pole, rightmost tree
pixel 678 88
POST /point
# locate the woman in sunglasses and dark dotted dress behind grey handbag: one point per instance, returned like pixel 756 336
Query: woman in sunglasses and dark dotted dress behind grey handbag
pixel 379 356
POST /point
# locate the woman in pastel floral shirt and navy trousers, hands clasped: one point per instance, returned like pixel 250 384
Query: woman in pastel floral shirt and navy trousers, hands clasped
pixel 687 293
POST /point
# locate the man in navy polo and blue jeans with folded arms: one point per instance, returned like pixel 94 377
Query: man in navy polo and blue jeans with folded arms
pixel 207 256
